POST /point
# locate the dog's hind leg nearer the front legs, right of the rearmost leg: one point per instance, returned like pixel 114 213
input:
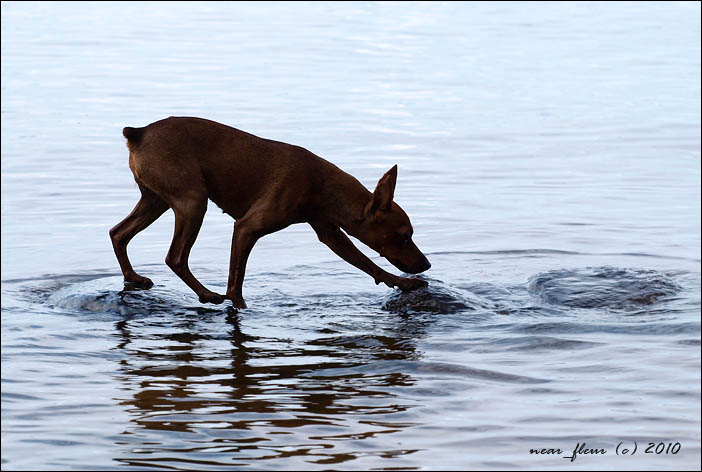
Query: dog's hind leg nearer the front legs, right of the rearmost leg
pixel 189 213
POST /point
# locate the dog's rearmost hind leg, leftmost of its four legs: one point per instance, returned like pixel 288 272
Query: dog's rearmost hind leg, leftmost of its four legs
pixel 146 211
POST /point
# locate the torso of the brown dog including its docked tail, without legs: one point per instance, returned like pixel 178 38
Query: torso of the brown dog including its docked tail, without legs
pixel 233 168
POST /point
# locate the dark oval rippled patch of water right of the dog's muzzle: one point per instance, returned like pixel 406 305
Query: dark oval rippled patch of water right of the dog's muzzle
pixel 602 287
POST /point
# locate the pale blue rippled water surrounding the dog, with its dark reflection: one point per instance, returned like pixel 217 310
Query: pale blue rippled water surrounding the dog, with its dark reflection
pixel 549 157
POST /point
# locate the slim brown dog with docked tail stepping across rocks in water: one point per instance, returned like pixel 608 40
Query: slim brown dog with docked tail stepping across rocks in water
pixel 265 186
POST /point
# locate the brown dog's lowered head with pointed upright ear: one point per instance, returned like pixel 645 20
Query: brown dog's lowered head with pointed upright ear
pixel 386 228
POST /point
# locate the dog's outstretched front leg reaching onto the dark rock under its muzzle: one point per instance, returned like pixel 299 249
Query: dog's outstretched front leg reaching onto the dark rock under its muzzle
pixel 338 242
